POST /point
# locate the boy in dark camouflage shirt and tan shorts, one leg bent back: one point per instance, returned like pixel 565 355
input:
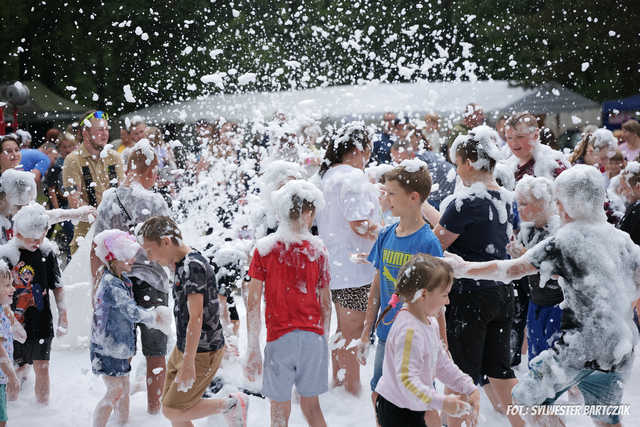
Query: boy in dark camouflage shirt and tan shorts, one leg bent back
pixel 199 339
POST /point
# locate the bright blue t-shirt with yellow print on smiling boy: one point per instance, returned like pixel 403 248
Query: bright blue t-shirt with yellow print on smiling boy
pixel 391 252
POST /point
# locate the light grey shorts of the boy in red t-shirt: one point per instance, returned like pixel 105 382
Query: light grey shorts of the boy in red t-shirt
pixel 300 358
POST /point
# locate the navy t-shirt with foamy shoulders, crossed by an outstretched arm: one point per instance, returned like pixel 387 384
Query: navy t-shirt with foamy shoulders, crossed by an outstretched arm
pixel 483 231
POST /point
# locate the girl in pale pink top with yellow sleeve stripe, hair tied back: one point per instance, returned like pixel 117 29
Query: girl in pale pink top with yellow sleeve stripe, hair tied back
pixel 414 354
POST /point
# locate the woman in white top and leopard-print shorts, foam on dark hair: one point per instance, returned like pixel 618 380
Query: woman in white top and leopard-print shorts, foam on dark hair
pixel 348 225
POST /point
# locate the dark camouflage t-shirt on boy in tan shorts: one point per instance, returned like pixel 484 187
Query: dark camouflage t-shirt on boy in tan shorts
pixel 194 275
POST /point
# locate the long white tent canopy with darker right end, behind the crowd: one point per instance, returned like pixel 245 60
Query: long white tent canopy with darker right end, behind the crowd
pixel 368 101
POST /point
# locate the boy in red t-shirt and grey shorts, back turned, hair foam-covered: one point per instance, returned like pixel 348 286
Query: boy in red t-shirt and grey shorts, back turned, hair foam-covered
pixel 291 266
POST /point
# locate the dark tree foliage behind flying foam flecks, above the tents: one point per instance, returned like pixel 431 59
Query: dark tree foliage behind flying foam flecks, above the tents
pixel 175 50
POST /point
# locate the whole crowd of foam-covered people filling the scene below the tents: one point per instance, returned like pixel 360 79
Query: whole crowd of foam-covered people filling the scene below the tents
pixel 456 255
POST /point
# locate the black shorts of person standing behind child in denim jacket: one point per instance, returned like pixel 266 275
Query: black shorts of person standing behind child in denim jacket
pixel 154 342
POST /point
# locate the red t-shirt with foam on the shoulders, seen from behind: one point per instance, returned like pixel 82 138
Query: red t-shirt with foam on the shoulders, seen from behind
pixel 292 277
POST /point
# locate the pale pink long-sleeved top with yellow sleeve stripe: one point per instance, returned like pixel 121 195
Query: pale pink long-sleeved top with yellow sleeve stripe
pixel 414 357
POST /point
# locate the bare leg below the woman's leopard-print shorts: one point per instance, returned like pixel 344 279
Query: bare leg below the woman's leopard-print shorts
pixel 351 324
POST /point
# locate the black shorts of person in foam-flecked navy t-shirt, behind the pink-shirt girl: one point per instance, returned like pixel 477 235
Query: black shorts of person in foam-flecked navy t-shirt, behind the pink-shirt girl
pixel 479 331
